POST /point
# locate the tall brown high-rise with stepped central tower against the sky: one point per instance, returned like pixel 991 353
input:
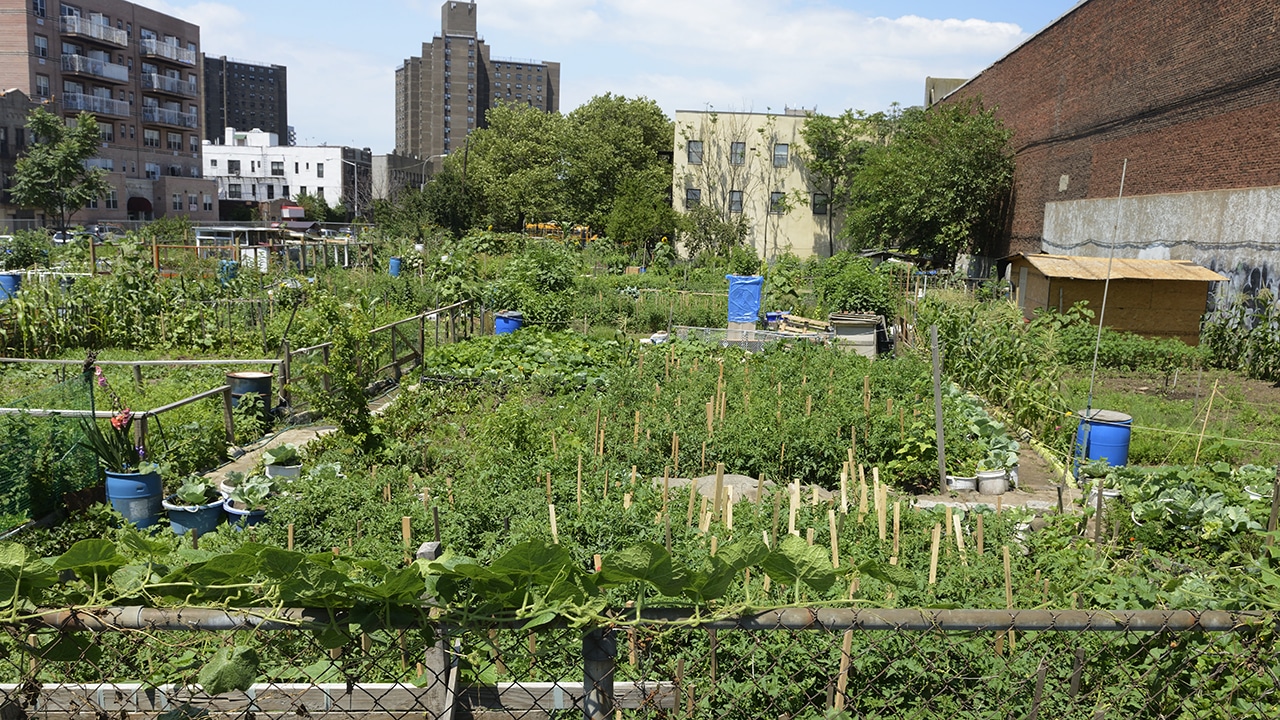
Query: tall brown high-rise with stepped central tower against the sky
pixel 442 95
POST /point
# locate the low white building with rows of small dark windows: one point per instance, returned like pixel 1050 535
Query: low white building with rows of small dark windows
pixel 254 167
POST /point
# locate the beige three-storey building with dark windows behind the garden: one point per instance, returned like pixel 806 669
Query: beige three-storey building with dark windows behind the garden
pixel 751 166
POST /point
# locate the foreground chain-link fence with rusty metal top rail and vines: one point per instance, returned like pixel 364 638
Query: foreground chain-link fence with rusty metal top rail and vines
pixel 792 663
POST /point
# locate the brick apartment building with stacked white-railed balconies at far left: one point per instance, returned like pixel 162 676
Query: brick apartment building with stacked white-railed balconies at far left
pixel 138 72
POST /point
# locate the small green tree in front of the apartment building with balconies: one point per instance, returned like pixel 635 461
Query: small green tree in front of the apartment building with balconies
pixel 53 176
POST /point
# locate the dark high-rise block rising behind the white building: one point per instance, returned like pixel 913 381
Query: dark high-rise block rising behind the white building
pixel 246 95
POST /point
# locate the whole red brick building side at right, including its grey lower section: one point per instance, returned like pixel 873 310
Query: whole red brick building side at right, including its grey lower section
pixel 1188 94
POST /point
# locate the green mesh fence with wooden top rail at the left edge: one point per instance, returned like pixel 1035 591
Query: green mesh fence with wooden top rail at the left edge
pixel 42 457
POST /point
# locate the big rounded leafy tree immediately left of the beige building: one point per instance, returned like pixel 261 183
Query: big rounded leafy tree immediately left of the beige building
pixel 612 144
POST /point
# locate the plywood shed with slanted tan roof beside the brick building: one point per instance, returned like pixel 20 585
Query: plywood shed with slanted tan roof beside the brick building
pixel 1150 298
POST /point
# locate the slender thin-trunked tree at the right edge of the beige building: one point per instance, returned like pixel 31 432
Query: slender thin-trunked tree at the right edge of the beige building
pixel 834 154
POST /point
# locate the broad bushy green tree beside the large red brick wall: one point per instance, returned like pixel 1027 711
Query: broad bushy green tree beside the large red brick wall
pixel 938 186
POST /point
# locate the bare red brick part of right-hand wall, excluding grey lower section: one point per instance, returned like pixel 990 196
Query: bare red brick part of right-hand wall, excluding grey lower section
pixel 1186 90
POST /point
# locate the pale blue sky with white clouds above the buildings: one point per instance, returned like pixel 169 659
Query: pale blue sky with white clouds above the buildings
pixel 756 56
